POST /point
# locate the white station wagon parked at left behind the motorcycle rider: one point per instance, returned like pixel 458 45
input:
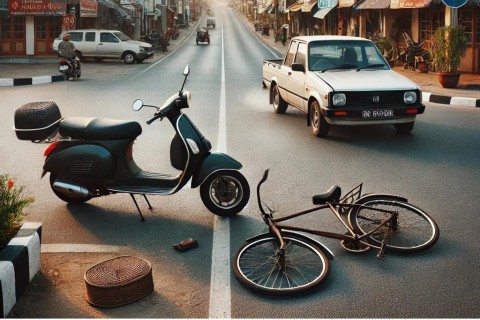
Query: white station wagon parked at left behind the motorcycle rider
pixel 106 44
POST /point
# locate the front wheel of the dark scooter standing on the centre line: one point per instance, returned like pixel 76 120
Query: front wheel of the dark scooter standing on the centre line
pixel 225 193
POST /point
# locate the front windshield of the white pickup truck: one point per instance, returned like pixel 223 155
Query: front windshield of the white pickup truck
pixel 344 55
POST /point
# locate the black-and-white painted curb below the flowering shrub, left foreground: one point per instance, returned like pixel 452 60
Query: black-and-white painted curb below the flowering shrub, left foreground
pixel 19 262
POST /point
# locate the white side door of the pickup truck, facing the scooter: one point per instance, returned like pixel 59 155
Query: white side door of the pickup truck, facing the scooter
pixel 296 80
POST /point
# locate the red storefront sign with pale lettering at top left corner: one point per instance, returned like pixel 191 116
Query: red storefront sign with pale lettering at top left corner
pixel 38 7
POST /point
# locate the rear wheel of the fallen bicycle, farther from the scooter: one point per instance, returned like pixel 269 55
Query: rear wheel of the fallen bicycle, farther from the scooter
pixel 412 231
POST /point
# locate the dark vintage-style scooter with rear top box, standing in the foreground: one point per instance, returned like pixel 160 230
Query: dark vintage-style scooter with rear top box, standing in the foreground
pixel 92 157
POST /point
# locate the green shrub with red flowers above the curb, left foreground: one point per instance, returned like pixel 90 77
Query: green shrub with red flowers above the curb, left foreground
pixel 12 204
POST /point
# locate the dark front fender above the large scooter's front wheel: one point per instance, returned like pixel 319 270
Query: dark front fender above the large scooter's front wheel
pixel 215 161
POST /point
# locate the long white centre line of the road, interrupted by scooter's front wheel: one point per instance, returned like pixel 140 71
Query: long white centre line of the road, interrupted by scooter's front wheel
pixel 220 294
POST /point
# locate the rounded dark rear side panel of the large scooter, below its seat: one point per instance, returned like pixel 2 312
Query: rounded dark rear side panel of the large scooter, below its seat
pixel 82 160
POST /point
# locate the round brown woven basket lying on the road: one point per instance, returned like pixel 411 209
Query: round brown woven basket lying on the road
pixel 118 281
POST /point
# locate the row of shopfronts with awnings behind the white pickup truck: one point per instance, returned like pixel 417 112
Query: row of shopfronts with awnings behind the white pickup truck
pixel 371 18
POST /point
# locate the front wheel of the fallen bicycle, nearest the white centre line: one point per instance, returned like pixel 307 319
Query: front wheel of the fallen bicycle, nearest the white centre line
pixel 260 266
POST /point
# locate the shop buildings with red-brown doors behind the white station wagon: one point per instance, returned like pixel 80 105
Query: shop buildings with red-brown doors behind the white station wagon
pixel 28 27
